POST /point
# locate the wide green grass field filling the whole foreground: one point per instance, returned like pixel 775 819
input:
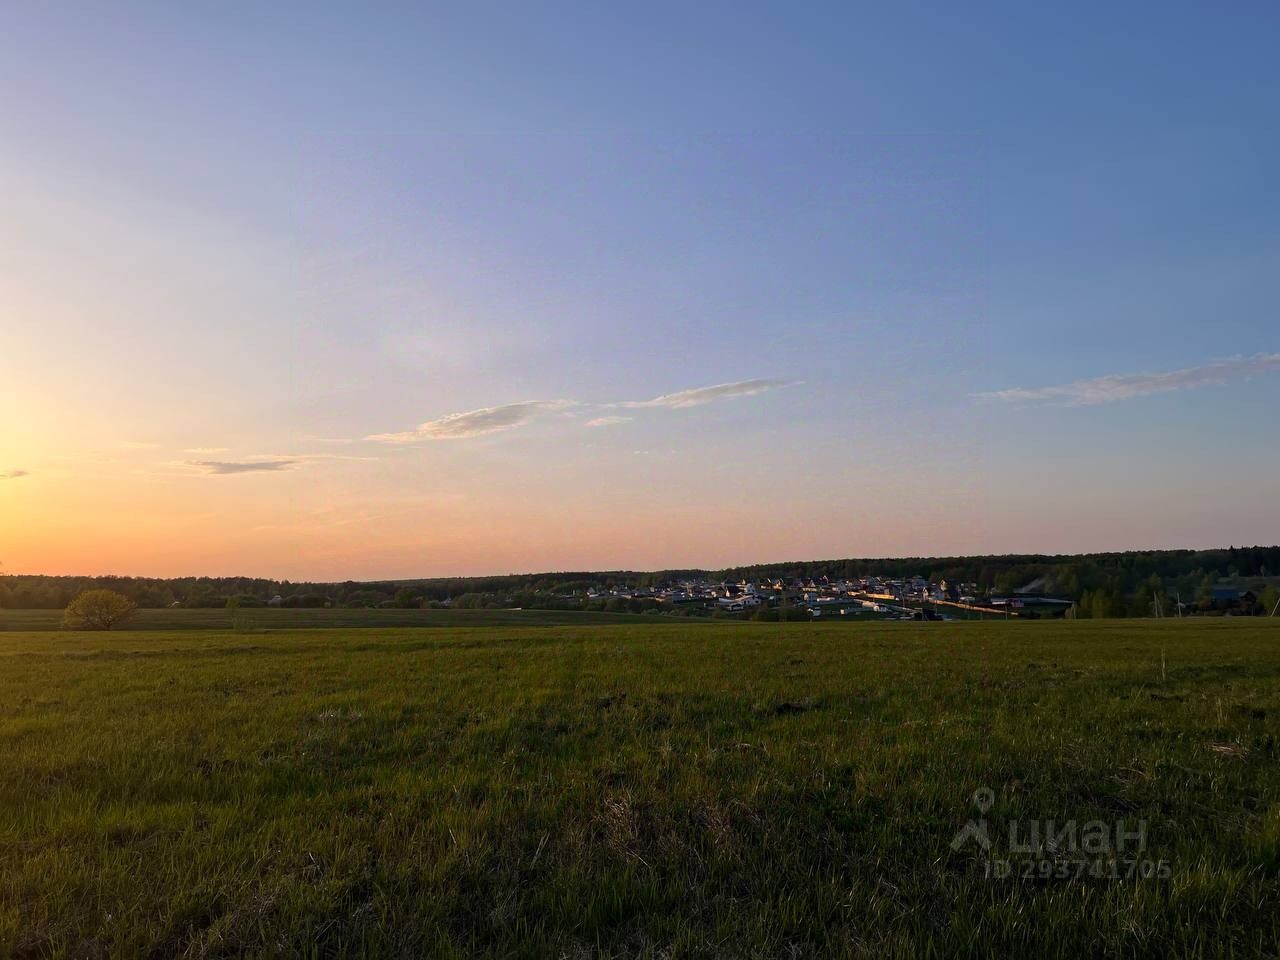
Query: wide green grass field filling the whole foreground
pixel 660 790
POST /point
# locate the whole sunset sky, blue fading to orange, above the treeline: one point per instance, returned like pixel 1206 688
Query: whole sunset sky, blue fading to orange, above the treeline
pixel 321 291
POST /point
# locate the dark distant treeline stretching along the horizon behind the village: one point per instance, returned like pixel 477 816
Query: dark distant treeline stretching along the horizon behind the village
pixel 1103 584
